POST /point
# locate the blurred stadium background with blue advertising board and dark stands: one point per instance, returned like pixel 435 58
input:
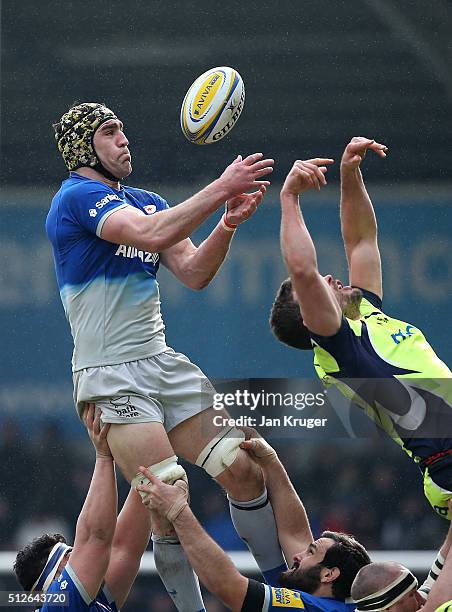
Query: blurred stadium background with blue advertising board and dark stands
pixel 316 73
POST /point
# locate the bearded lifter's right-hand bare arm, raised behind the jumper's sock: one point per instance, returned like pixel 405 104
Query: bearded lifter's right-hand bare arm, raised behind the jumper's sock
pixel 294 532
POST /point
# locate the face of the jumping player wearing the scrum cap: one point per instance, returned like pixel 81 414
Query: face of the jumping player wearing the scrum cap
pixel 111 146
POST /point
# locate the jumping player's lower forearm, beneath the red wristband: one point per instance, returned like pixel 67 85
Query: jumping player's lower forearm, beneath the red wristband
pixel 195 266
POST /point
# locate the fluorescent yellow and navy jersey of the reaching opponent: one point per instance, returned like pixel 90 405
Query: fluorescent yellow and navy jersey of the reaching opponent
pixel 387 367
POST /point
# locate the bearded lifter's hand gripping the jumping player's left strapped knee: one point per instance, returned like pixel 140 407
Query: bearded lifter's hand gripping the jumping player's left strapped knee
pixel 166 500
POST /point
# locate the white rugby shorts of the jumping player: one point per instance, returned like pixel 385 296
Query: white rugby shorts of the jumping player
pixel 167 388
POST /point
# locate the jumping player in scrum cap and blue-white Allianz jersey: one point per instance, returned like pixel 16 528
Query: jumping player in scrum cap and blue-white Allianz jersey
pixel 108 240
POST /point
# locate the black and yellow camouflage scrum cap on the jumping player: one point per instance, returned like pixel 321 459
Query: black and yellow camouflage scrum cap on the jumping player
pixel 75 130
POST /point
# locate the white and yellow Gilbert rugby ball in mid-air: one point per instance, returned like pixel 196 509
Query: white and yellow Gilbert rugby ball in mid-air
pixel 212 105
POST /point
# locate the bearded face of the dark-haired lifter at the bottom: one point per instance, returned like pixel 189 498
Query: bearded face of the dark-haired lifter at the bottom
pixel 306 567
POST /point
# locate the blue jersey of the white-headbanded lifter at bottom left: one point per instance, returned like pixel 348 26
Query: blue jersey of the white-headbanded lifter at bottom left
pixel 78 599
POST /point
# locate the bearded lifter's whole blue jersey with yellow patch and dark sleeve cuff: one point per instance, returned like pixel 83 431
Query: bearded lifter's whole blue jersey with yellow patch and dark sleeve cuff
pixel 265 598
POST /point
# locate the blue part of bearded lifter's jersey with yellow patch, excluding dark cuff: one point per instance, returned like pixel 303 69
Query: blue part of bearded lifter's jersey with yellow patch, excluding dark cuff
pixel 277 598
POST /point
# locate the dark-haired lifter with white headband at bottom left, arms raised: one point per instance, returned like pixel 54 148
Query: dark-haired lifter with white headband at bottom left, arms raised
pixel 98 571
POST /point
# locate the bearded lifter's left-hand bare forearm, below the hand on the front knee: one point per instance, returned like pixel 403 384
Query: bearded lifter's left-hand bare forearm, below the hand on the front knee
pixel 213 567
